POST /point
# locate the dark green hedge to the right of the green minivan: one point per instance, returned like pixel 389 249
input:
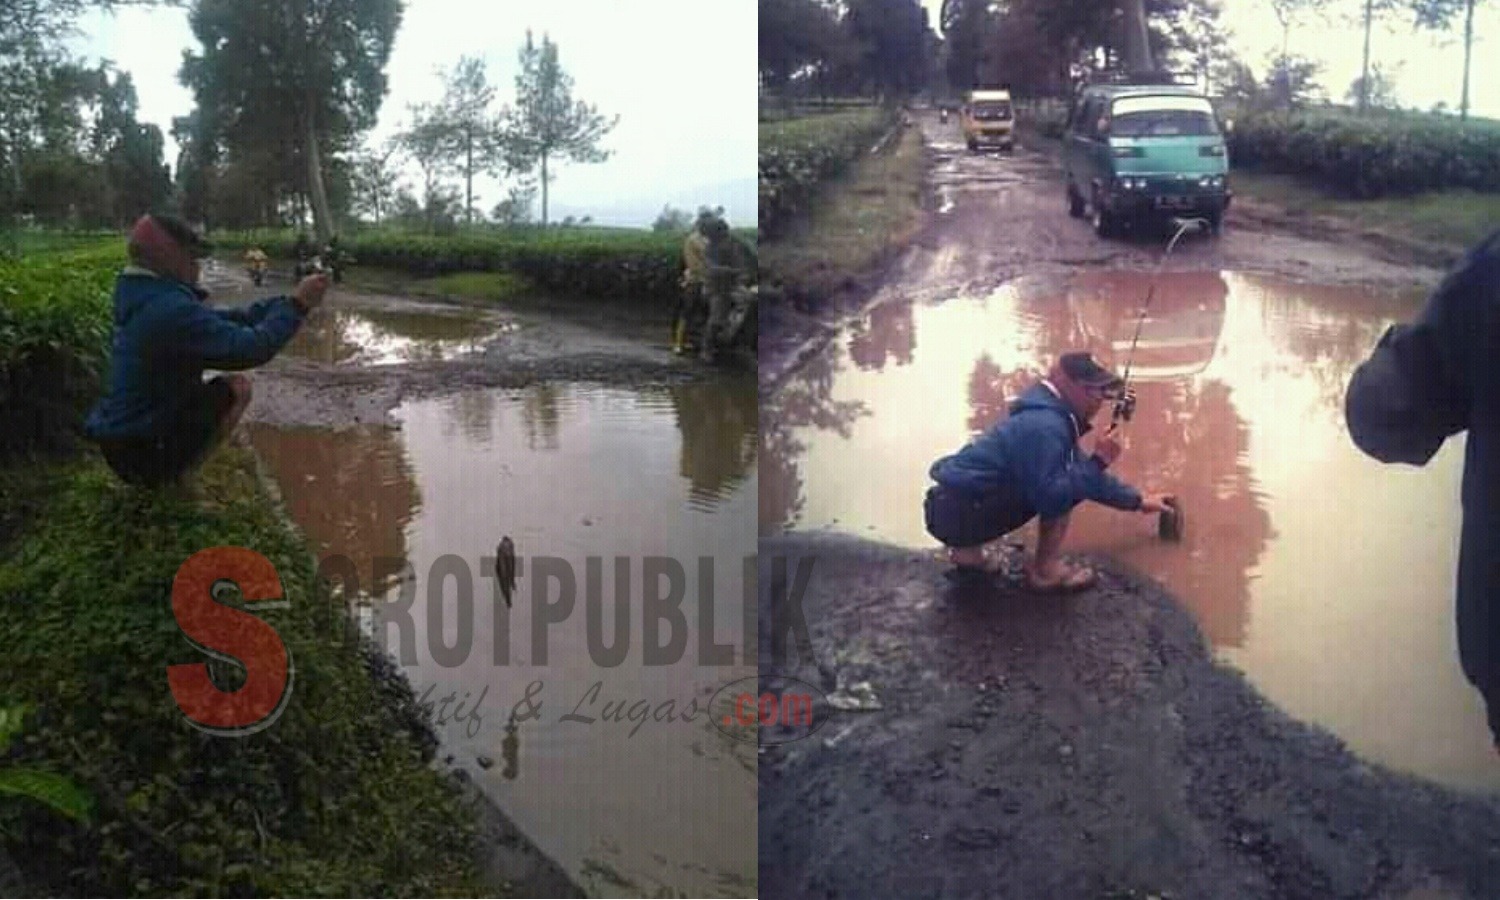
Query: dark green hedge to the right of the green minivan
pixel 1370 157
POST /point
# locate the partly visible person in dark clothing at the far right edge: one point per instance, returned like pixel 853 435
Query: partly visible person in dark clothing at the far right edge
pixel 1424 383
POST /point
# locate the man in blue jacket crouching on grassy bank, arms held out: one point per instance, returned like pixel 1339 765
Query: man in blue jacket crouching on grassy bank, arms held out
pixel 160 419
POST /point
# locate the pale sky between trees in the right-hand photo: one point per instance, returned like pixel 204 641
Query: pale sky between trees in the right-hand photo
pixel 1429 67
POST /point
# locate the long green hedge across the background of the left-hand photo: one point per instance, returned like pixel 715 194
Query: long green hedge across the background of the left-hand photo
pixel 605 263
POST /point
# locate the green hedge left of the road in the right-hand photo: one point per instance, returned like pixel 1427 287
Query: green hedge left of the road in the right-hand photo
pixel 799 155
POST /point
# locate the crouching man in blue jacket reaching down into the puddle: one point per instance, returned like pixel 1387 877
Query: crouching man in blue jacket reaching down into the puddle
pixel 1031 467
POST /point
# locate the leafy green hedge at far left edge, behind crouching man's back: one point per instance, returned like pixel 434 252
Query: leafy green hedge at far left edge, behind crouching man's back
pixel 55 341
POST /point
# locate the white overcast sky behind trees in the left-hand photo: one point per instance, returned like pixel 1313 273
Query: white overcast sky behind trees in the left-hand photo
pixel 680 74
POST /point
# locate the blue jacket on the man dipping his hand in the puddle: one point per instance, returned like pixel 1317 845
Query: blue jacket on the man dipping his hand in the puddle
pixel 1037 449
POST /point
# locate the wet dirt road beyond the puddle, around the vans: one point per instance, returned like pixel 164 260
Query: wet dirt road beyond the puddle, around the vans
pixel 994 218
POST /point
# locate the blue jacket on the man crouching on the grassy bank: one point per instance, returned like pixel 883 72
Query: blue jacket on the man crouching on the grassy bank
pixel 164 340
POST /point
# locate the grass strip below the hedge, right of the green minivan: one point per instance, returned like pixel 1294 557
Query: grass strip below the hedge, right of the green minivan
pixel 1456 220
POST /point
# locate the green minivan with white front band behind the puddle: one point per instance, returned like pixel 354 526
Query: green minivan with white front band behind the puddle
pixel 1141 152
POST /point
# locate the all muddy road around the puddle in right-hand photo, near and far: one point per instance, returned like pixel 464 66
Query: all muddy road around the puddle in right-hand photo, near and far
pixel 1069 748
